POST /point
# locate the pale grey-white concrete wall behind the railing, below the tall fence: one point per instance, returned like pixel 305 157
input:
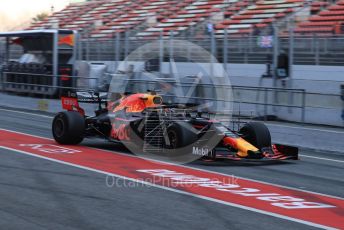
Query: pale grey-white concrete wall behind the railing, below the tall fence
pixel 322 101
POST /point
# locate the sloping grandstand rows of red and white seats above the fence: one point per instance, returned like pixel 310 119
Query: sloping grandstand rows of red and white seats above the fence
pixel 102 19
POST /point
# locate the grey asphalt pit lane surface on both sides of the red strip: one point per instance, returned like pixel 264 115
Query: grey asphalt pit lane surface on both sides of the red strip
pixel 40 194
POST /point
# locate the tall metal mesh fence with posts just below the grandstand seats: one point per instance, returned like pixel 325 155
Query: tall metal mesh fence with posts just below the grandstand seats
pixel 313 50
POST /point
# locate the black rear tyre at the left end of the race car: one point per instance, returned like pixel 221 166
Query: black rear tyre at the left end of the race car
pixel 68 128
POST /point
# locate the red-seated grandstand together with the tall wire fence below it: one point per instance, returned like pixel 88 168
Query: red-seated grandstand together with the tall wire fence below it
pixel 231 30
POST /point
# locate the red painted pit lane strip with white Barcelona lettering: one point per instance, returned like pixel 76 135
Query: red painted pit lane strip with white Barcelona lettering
pixel 296 205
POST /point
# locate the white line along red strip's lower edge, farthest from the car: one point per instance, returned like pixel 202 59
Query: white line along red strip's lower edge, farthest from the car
pixel 176 190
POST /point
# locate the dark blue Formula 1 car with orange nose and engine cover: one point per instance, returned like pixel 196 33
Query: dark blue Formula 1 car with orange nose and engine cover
pixel 143 120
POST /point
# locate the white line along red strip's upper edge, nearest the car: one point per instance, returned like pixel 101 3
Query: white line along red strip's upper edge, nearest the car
pixel 203 170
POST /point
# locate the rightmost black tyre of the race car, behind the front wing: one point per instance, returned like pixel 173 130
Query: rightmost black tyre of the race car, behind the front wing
pixel 257 134
